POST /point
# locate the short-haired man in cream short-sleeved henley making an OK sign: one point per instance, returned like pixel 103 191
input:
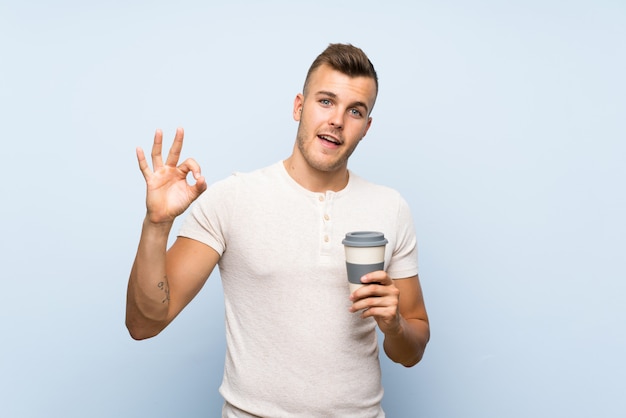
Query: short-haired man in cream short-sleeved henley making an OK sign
pixel 298 343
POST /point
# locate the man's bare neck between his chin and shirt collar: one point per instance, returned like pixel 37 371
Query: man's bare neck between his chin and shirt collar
pixel 316 180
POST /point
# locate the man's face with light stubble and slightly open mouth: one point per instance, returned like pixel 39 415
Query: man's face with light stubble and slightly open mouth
pixel 334 116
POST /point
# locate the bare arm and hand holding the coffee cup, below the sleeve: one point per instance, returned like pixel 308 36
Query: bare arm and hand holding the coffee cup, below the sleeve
pixel 398 308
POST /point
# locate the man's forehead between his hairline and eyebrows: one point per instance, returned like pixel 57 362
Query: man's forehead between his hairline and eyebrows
pixel 343 86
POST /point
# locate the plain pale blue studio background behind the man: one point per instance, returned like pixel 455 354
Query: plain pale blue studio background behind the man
pixel 502 123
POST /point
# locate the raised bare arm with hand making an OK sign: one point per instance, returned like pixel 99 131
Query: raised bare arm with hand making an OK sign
pixel 158 287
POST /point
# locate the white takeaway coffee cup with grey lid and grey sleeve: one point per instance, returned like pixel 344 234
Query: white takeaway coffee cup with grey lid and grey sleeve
pixel 365 252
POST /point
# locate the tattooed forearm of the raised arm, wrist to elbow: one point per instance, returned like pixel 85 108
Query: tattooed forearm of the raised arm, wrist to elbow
pixel 147 302
